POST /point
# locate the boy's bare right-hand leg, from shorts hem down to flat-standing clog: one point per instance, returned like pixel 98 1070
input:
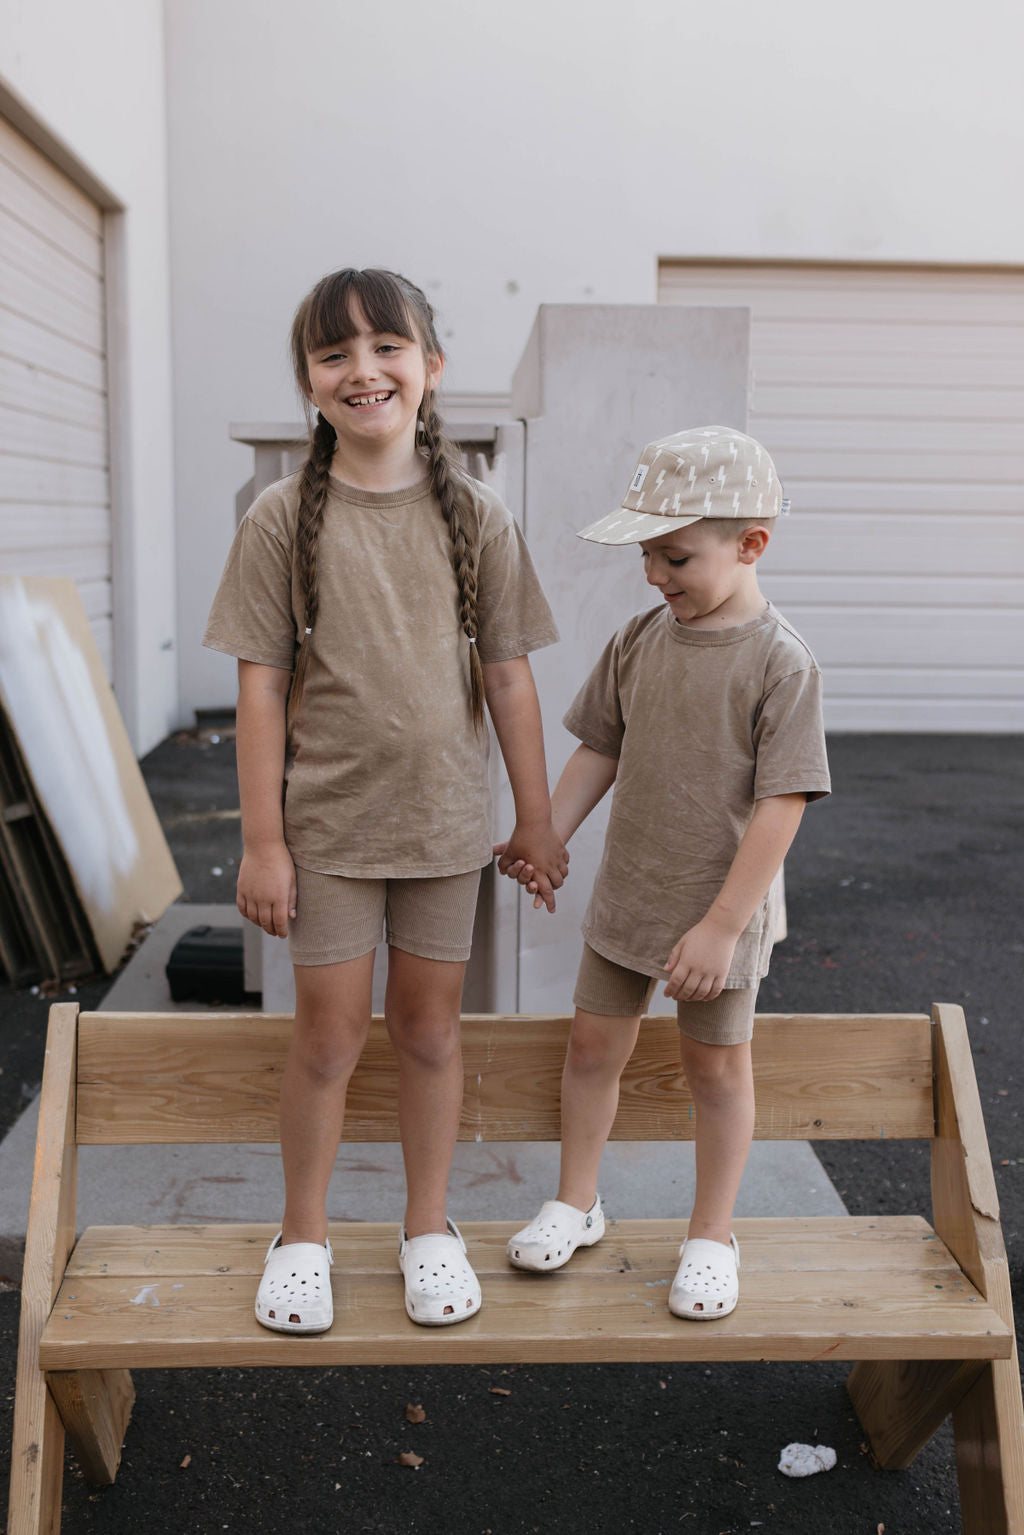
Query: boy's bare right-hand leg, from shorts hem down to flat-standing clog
pixel 722 1083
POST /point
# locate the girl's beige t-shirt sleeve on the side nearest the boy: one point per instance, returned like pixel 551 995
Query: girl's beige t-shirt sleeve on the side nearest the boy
pixel 514 615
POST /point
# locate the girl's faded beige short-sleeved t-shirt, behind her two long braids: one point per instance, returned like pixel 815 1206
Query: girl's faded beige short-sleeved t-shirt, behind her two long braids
pixel 386 774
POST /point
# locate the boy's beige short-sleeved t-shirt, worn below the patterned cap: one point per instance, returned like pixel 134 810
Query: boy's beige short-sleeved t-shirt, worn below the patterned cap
pixel 704 725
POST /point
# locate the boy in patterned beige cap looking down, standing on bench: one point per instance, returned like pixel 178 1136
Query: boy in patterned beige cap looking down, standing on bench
pixel 705 713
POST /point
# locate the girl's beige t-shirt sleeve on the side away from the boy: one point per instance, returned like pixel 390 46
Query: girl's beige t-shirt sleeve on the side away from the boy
pixel 253 610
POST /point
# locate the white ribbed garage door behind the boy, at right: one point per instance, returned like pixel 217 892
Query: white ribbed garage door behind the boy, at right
pixel 894 404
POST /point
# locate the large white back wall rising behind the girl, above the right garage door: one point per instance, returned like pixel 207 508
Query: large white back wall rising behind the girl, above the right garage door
pixel 544 153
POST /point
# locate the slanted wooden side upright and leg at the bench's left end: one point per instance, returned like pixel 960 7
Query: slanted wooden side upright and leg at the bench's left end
pixel 39 1438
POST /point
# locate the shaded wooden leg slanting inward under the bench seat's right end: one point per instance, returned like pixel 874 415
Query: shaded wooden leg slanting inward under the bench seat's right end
pixel 902 1404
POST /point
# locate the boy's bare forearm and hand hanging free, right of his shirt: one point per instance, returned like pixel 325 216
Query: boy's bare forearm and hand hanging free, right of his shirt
pixel 701 960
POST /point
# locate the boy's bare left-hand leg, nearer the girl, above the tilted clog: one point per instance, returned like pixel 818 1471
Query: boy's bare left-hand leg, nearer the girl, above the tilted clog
pixel 596 1058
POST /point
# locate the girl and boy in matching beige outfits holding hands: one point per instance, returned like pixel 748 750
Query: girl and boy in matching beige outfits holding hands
pixel 378 602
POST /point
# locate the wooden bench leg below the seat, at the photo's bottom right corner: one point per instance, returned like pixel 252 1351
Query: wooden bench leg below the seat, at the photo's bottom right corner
pixel 989 1433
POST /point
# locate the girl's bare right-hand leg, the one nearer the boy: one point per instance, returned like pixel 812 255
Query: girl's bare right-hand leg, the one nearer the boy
pixel 423 1006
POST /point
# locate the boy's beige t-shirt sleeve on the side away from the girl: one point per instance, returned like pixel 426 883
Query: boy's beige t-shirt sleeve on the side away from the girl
pixel 790 739
